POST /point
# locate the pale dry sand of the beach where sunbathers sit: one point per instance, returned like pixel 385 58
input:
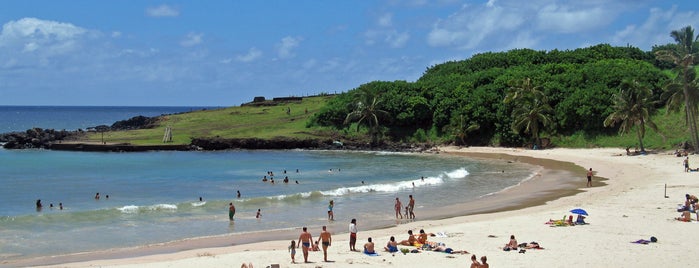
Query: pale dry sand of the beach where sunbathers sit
pixel 631 206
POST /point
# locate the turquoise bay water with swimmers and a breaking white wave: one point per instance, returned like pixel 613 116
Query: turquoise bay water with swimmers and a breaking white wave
pixel 154 196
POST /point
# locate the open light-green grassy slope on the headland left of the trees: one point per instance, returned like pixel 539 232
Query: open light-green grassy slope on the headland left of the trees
pixel 233 122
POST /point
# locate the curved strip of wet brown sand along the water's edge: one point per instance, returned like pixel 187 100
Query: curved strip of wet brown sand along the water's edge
pixel 512 198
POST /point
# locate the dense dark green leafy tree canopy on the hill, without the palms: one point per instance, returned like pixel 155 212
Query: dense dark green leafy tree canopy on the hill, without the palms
pixel 578 86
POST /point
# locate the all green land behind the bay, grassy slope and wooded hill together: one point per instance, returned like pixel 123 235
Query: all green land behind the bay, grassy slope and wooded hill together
pixel 586 97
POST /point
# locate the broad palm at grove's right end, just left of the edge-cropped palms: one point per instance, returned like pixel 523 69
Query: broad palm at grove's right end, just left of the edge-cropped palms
pixel 633 106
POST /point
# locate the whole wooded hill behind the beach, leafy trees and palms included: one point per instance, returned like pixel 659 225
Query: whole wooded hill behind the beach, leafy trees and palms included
pixel 516 97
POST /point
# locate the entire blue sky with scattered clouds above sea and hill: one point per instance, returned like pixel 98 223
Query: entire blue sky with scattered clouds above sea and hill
pixel 223 53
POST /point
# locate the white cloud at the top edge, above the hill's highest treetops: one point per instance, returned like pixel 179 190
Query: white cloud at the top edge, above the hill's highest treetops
pixel 573 19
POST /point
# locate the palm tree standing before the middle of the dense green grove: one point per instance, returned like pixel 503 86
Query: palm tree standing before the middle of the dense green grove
pixel 531 109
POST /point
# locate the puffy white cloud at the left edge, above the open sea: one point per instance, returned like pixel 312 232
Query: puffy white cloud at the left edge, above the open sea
pixel 44 36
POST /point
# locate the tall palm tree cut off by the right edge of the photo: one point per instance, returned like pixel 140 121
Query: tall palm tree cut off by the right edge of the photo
pixel 683 89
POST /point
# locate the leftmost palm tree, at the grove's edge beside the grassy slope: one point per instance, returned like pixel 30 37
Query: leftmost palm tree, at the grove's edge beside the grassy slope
pixel 367 112
